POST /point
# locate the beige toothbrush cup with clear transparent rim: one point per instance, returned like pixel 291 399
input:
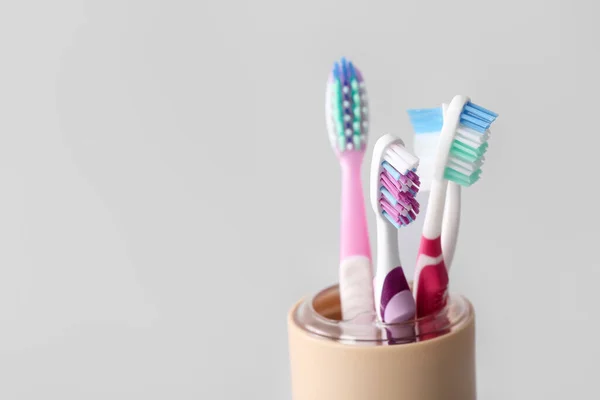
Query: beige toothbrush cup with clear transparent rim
pixel 428 359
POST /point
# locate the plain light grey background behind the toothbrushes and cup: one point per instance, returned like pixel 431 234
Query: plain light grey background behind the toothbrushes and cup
pixel 168 190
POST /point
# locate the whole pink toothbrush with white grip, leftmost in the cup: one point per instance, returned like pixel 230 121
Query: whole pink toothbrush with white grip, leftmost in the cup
pixel 346 115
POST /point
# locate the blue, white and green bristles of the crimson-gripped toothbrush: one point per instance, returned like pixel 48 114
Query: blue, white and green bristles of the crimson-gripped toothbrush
pixel 470 144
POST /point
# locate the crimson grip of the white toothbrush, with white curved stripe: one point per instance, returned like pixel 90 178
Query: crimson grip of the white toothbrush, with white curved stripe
pixel 433 278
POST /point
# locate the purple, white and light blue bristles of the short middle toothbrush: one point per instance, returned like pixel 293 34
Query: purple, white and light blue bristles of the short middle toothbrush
pixel 399 184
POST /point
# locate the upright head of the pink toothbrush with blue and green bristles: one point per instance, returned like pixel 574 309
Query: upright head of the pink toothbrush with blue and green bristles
pixel 346 108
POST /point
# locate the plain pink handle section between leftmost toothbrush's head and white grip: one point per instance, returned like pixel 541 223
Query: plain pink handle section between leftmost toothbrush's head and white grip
pixel 354 234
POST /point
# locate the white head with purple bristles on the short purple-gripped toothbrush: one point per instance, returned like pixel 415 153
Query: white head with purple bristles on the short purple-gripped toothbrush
pixel 394 182
